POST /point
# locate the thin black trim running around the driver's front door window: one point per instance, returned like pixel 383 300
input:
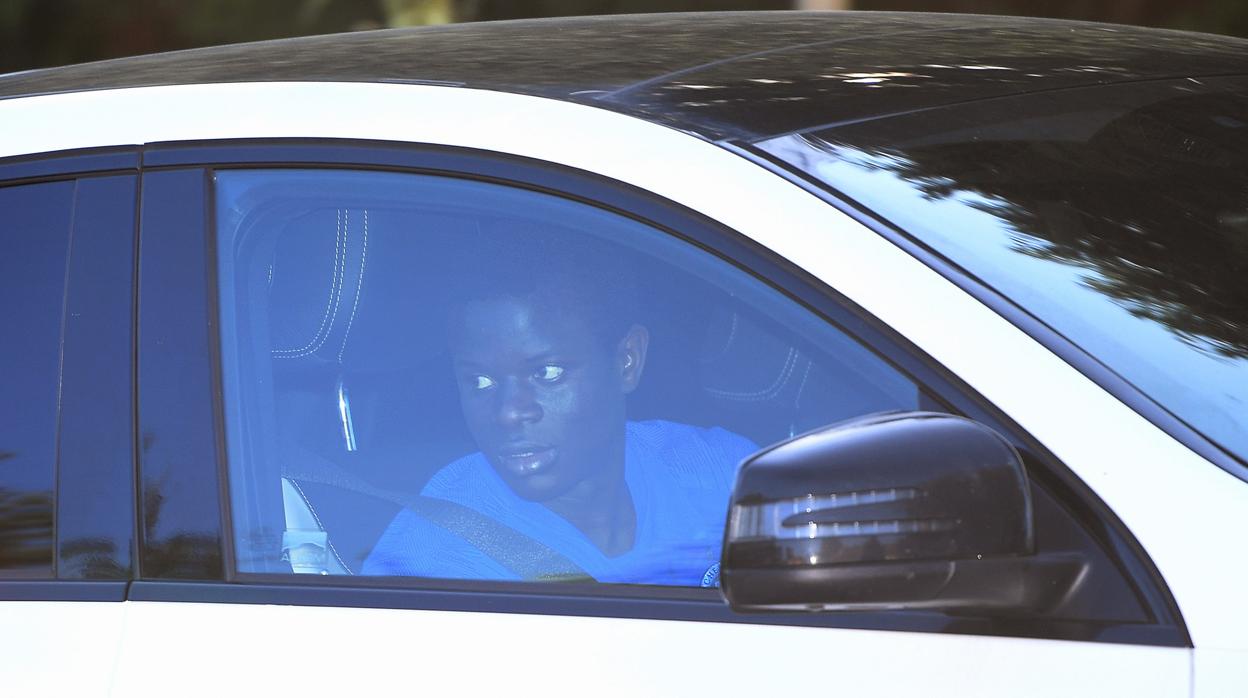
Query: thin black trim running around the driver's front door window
pixel 717 240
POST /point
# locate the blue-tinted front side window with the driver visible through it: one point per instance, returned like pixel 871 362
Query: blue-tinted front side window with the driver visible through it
pixel 449 379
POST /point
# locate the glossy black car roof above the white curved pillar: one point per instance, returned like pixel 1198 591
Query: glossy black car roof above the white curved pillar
pixel 739 77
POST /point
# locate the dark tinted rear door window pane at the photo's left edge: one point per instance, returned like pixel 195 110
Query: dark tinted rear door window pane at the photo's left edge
pixel 36 237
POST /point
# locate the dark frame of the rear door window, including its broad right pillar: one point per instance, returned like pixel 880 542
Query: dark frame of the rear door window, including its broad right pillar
pixel 99 285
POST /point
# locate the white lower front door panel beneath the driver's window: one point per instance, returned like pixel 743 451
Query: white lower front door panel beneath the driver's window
pixel 336 651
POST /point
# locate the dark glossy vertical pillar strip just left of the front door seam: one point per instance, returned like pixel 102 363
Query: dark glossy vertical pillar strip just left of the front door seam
pixel 95 469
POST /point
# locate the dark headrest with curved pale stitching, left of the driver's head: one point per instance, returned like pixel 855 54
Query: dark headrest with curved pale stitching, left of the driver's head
pixel 363 288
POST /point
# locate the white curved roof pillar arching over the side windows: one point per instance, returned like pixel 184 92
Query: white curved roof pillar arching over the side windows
pixel 797 225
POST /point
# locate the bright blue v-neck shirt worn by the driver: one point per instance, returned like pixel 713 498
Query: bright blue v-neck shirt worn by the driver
pixel 680 476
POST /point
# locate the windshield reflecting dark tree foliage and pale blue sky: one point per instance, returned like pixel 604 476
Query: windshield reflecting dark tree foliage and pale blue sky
pixel 1119 217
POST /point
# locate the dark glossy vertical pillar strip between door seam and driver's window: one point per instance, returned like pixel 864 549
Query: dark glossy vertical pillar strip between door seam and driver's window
pixel 179 505
